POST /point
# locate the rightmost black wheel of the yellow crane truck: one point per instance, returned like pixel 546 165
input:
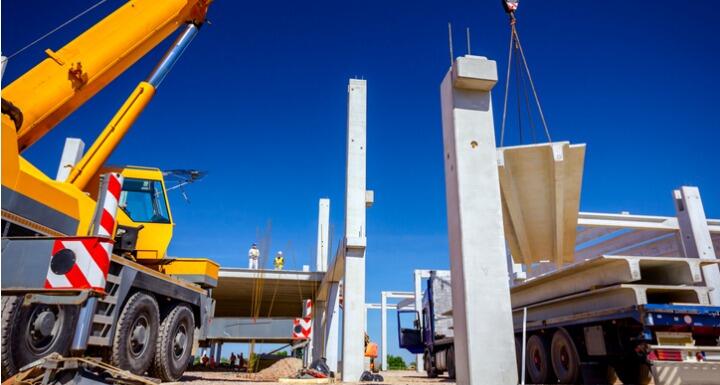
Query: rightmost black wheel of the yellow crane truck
pixel 174 343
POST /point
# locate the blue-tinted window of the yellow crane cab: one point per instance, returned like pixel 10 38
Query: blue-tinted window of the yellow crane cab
pixel 144 201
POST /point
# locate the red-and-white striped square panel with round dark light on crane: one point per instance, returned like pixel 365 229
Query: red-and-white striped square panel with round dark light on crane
pixel 87 270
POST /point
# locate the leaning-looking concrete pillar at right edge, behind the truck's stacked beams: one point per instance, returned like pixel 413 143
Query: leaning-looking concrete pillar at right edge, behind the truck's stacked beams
pixel 695 236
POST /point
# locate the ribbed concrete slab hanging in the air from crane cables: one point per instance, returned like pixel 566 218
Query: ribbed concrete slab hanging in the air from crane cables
pixel 540 186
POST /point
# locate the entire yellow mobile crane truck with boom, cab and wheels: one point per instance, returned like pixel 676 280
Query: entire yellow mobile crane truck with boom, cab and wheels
pixel 146 319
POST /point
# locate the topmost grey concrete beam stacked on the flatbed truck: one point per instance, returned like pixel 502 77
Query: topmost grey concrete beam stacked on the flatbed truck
pixel 605 271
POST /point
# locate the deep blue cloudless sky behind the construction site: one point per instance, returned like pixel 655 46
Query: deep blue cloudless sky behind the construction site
pixel 259 101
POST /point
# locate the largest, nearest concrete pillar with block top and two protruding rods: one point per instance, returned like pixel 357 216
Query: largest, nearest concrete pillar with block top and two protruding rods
pixel 484 342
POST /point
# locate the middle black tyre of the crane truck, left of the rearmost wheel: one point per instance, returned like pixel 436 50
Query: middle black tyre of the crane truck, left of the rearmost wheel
pixel 136 334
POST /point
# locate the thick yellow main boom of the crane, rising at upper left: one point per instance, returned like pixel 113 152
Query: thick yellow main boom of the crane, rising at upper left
pixel 60 84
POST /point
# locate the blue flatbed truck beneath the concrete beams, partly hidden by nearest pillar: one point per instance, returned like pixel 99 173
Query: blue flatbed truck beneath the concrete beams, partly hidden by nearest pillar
pixel 673 343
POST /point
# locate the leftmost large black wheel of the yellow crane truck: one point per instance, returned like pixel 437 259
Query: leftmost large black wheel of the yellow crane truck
pixel 30 333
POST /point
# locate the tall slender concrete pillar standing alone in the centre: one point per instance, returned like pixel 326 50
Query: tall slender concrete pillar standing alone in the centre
pixel 355 234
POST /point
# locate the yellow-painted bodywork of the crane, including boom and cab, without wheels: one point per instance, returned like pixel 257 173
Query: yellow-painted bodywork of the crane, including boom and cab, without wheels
pixel 35 204
